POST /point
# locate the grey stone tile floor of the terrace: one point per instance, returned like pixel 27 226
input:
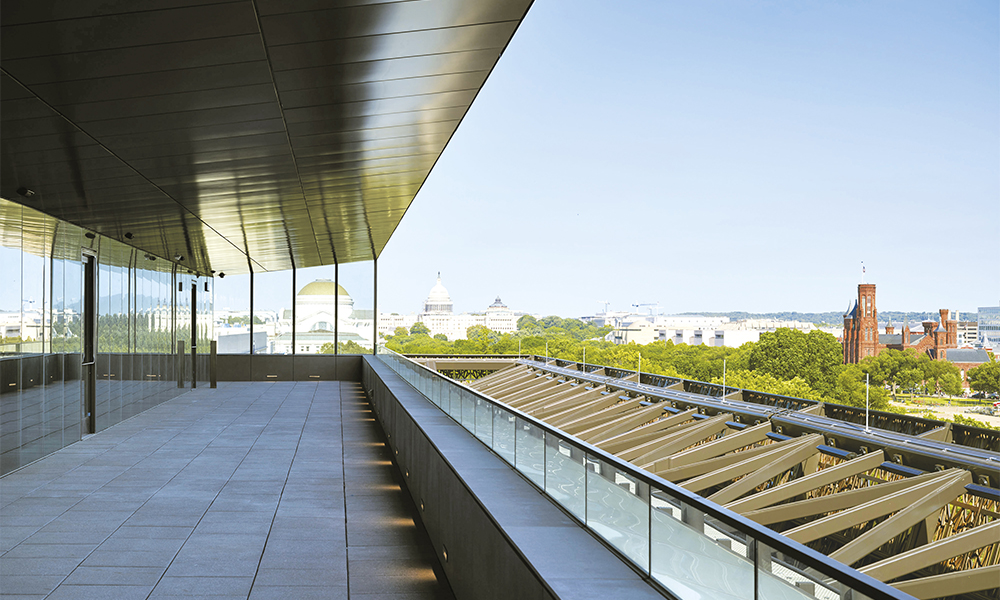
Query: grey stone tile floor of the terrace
pixel 256 490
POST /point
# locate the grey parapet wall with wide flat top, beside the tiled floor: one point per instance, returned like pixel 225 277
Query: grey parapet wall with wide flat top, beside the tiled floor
pixel 496 536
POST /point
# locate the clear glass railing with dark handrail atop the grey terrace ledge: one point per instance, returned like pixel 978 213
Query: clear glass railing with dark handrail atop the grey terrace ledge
pixel 693 548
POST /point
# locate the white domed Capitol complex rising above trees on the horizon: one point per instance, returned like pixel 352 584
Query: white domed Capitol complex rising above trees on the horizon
pixel 439 316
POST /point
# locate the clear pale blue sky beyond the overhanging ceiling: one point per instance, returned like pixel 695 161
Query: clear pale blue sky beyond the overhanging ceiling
pixel 715 156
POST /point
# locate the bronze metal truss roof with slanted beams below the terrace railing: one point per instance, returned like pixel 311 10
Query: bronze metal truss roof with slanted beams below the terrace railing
pixel 804 469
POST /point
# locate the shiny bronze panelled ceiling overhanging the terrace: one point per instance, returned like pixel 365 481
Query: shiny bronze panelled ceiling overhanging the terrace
pixel 278 133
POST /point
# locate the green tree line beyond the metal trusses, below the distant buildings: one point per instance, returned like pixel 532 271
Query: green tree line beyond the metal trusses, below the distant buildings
pixel 787 362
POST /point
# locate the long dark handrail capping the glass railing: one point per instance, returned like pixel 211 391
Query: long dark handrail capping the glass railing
pixel 832 568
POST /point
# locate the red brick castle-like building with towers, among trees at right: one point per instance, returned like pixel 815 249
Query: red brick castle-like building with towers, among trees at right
pixel 936 339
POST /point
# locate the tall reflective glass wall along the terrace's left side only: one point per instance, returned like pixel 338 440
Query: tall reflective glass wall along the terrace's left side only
pixel 41 332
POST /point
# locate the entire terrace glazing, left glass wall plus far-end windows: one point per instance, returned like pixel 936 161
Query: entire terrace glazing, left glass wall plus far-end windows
pixel 144 307
